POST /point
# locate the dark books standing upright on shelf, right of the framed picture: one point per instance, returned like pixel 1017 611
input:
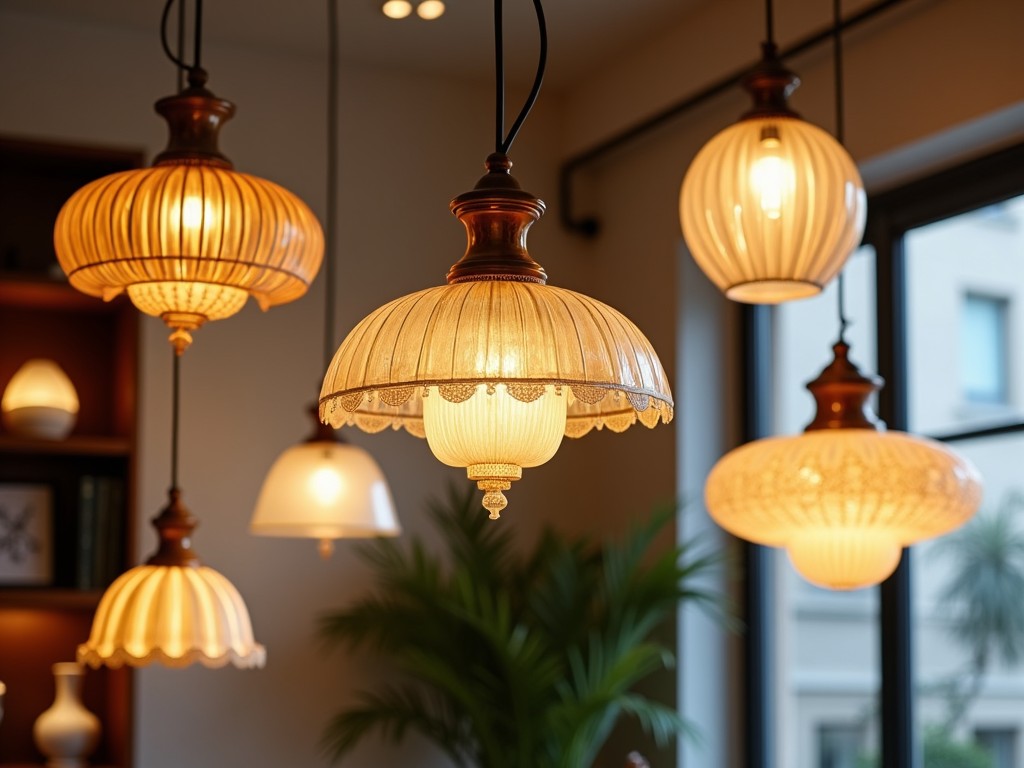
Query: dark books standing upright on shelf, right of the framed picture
pixel 102 513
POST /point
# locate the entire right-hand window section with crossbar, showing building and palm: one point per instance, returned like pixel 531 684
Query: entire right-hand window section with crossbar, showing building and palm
pixel 964 385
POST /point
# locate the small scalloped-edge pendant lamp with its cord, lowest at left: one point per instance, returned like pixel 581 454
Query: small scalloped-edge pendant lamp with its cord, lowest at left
pixel 173 611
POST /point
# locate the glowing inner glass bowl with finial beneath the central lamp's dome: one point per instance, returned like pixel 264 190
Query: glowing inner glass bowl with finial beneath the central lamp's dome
pixel 494 436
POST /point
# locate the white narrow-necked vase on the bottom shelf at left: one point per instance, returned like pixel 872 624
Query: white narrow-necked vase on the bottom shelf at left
pixel 67 733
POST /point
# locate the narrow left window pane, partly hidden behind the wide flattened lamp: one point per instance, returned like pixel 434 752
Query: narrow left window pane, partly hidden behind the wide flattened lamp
pixel 826 643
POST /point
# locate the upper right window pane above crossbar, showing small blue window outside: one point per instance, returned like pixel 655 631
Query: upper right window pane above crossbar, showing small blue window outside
pixel 965 284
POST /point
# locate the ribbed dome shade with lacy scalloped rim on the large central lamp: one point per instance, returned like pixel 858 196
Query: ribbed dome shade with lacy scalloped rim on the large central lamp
pixel 494 332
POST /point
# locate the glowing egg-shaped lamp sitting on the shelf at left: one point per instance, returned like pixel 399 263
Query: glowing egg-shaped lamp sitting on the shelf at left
pixel 40 402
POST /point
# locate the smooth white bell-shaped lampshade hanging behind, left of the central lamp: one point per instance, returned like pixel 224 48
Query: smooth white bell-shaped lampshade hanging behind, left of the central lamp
pixel 325 490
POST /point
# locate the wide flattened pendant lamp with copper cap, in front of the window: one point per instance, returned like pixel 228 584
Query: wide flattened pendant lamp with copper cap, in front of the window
pixel 845 497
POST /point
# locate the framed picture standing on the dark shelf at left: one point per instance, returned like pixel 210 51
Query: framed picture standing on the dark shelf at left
pixel 26 535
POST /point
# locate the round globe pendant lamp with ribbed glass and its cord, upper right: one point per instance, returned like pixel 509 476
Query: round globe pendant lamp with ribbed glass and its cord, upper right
pixel 773 207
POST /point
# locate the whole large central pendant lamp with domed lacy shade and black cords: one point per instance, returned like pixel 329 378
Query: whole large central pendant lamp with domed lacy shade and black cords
pixel 497 366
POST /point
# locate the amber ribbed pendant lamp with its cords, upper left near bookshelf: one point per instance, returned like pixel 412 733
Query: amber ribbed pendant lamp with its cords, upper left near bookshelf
pixel 189 239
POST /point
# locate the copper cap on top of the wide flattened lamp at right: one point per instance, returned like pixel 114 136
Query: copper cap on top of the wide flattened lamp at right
pixel 842 394
